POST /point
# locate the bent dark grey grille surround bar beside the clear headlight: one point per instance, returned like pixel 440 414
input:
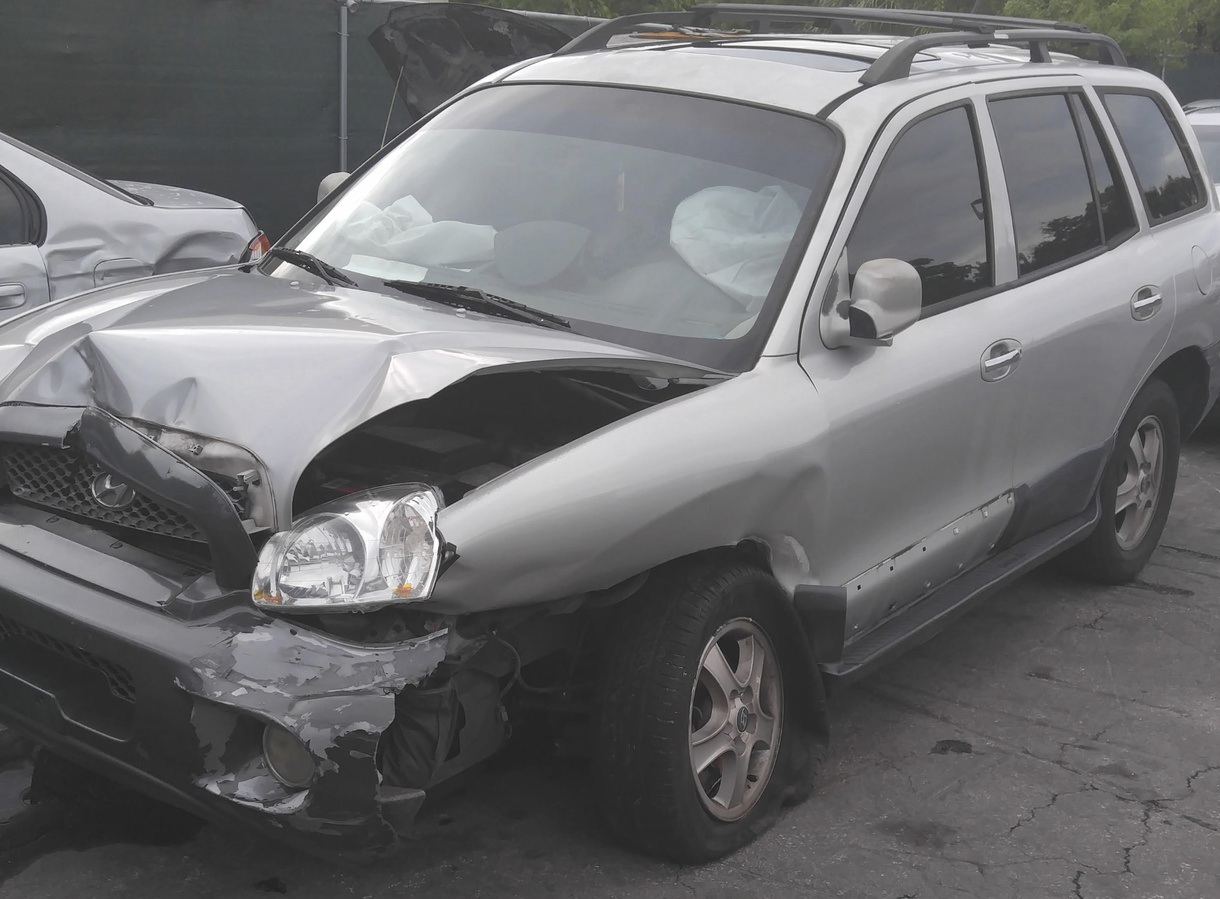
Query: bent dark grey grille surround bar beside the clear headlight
pixel 158 473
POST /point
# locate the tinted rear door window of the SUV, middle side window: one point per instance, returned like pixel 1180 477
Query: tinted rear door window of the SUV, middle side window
pixel 1055 217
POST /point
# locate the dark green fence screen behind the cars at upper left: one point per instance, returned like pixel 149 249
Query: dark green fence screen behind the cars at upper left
pixel 239 98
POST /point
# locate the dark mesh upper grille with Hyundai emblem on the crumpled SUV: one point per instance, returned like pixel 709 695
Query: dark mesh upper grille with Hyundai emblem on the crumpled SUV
pixel 63 480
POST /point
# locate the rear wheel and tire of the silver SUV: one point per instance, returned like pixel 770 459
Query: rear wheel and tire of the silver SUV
pixel 1136 491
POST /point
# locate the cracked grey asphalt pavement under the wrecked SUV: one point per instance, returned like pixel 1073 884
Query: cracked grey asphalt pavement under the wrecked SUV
pixel 1061 741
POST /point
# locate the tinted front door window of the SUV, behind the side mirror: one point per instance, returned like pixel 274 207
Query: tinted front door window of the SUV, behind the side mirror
pixel 928 208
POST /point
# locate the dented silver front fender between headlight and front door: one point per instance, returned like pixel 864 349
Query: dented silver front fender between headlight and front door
pixel 716 468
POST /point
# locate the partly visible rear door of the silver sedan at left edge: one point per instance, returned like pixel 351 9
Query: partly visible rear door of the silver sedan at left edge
pixel 23 270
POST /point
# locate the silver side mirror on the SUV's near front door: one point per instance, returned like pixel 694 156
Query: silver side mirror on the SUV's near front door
pixel 886 298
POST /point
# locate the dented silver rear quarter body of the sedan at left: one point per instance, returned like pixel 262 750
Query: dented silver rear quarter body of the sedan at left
pixel 98 236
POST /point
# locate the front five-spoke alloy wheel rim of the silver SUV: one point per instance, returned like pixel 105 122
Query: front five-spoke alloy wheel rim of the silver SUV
pixel 736 720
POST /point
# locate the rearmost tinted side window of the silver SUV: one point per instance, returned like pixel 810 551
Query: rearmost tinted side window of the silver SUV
pixel 1163 170
